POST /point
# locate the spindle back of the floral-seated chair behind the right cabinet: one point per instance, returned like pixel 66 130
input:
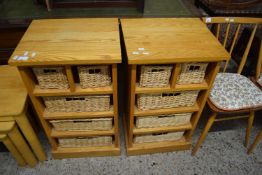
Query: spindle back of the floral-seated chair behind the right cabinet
pixel 240 23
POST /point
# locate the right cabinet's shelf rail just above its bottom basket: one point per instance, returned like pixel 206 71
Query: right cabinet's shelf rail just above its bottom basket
pixel 162 129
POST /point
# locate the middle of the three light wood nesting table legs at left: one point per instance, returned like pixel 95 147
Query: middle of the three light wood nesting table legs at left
pixel 22 146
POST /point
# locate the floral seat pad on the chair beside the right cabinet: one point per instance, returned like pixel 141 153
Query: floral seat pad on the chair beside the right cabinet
pixel 234 92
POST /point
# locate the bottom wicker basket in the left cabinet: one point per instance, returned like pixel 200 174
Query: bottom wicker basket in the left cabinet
pixel 85 141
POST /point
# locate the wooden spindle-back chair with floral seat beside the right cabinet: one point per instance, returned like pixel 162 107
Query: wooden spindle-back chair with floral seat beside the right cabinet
pixel 232 93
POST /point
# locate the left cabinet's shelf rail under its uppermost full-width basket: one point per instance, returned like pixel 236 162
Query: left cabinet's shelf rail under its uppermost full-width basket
pixel 70 115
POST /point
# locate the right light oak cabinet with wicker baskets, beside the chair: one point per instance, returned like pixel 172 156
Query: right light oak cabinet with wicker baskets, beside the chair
pixel 172 64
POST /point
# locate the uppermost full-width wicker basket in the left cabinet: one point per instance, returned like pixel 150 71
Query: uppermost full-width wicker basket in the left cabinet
pixel 77 103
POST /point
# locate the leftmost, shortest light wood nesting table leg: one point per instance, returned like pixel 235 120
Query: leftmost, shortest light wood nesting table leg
pixel 13 150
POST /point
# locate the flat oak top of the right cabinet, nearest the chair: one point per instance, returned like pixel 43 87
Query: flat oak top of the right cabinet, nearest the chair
pixel 169 40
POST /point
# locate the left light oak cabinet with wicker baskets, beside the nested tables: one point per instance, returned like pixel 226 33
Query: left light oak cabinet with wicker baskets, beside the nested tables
pixel 69 67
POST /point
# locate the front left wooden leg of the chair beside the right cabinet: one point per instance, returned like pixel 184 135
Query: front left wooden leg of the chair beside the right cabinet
pixel 204 133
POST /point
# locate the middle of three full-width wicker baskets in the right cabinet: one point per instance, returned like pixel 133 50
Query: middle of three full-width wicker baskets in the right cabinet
pixel 163 120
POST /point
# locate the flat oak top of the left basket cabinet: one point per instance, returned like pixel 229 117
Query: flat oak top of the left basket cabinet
pixel 69 41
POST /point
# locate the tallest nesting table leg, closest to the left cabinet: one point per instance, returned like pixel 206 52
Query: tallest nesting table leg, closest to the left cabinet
pixel 30 135
